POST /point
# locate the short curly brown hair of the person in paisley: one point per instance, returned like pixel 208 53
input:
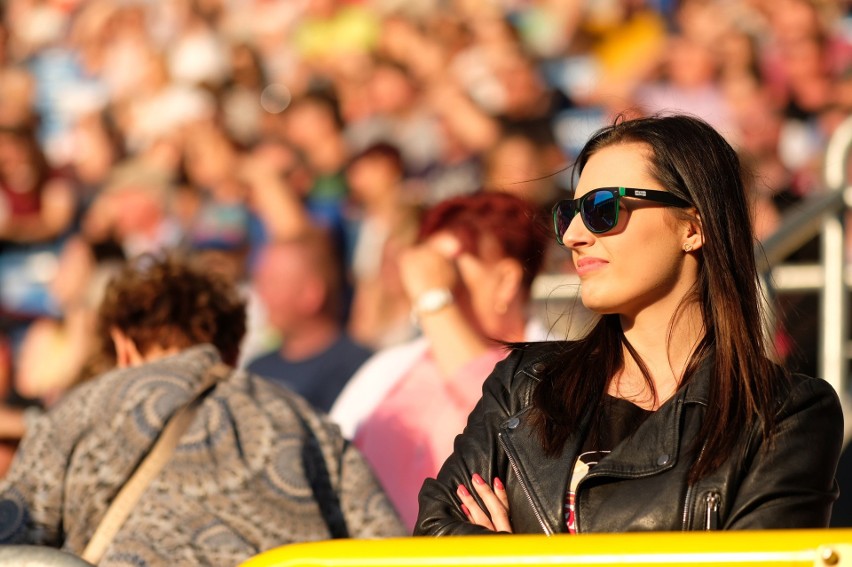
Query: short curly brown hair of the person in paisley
pixel 169 300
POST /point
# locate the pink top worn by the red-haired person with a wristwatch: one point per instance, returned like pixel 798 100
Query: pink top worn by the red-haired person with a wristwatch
pixel 411 433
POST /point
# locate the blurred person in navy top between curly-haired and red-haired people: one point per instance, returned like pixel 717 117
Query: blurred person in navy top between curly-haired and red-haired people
pixel 298 282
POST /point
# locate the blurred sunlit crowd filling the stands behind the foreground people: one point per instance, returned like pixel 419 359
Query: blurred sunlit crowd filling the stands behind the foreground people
pixel 221 127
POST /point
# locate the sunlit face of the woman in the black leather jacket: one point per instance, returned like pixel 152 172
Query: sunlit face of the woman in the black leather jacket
pixel 640 264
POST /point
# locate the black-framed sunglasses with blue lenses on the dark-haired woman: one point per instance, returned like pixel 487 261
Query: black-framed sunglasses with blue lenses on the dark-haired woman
pixel 599 207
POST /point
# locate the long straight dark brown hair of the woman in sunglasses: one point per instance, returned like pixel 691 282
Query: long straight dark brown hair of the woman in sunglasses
pixel 693 161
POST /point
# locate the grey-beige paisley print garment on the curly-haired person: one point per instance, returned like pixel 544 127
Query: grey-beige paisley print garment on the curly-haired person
pixel 256 469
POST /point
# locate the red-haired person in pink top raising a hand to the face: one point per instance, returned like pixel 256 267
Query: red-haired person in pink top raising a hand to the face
pixel 469 279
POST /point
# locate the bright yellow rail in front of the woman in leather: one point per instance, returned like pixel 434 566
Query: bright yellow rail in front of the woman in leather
pixel 777 547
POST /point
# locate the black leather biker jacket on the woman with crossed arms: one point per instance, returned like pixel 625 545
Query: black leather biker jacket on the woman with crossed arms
pixel 642 484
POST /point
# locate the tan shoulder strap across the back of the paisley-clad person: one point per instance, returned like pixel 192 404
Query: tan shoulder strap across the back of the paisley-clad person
pixel 150 466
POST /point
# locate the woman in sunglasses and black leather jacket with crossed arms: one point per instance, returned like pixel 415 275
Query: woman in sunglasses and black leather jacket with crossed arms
pixel 669 414
